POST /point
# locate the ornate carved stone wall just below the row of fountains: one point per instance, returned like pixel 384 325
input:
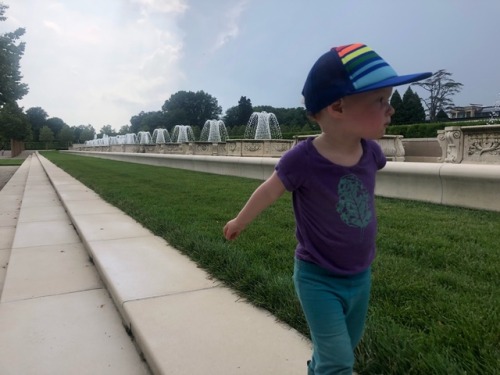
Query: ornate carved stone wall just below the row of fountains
pixel 454 144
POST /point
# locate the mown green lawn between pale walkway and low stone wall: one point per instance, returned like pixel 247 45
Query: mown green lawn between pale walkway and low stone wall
pixel 436 290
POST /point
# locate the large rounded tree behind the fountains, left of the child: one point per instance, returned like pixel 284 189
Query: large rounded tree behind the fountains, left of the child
pixel 191 108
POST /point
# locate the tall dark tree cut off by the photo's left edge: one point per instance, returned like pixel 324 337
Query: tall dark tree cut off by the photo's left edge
pixel 11 52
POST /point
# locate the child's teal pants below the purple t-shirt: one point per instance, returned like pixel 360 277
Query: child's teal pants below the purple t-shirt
pixel 335 308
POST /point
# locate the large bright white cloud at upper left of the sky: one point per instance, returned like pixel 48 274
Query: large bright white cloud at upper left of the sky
pixel 89 62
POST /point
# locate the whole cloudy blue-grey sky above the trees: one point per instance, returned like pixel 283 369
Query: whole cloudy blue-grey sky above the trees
pixel 101 62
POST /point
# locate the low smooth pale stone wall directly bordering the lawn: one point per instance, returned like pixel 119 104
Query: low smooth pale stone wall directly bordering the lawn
pixel 465 185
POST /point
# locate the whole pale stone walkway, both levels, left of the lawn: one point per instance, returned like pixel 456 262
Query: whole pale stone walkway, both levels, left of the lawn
pixel 81 275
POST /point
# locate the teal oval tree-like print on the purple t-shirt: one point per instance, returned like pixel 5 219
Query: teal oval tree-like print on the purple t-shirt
pixel 354 202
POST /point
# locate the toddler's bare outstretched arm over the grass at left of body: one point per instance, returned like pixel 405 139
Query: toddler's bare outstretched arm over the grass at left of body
pixel 268 192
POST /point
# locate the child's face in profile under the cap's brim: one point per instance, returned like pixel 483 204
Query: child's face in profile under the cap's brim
pixel 368 114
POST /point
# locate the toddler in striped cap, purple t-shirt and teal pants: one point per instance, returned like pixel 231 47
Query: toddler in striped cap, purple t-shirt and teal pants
pixel 332 180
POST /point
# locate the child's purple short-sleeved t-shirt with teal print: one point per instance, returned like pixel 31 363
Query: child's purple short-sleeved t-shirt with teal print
pixel 334 206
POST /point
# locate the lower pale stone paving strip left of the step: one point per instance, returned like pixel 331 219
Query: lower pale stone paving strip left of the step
pixel 56 313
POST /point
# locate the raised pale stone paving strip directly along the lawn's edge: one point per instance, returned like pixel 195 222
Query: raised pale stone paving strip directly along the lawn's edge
pixel 232 337
